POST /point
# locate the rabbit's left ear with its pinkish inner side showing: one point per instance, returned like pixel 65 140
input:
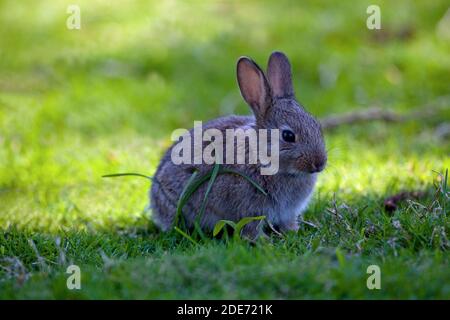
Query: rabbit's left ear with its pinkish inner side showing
pixel 254 86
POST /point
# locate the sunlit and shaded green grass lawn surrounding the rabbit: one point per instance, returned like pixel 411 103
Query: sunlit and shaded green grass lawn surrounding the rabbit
pixel 75 105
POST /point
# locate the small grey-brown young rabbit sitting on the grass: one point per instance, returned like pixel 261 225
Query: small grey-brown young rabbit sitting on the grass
pixel 302 155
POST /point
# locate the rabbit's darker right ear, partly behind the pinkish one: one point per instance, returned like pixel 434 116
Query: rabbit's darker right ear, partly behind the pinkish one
pixel 280 75
